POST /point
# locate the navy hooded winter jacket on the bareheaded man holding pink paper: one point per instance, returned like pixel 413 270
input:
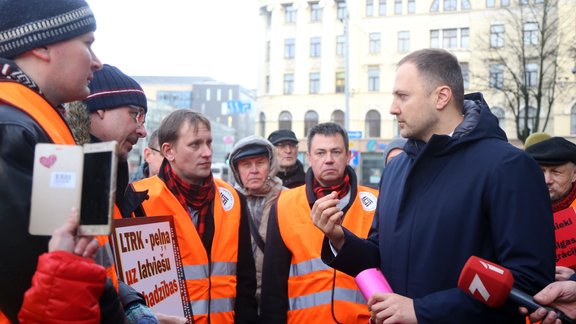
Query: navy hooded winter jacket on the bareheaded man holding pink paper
pixel 443 201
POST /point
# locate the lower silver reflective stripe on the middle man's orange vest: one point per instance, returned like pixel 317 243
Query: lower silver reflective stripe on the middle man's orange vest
pixel 325 298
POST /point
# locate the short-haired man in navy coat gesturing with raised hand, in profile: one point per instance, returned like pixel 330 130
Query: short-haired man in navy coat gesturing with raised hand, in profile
pixel 459 190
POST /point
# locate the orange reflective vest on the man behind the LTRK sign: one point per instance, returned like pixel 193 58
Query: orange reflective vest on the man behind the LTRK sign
pixel 210 279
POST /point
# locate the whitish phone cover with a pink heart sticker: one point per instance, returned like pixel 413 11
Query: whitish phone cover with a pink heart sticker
pixel 56 186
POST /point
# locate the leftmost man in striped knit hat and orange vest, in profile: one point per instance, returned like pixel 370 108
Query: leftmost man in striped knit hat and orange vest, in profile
pixel 45 61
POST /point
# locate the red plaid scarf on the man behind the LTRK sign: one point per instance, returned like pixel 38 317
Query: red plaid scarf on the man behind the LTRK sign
pixel 197 197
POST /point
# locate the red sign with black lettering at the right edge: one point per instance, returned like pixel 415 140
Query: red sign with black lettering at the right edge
pixel 565 229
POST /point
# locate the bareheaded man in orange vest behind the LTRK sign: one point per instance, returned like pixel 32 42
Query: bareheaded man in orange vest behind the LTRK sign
pixel 210 219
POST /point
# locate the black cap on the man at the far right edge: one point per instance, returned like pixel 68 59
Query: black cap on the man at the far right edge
pixel 553 151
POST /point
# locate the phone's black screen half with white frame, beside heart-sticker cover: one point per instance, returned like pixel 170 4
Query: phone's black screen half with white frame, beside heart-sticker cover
pixel 98 188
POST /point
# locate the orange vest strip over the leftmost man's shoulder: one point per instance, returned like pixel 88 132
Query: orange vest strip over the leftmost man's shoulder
pixel 34 105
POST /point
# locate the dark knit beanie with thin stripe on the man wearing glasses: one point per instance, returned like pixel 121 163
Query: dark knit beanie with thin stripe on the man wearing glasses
pixel 111 89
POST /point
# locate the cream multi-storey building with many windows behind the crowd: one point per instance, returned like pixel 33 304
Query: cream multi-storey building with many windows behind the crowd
pixel 312 49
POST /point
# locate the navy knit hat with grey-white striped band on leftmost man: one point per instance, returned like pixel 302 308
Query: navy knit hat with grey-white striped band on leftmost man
pixel 29 24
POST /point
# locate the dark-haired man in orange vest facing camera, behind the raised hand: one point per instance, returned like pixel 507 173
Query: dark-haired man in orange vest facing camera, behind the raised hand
pixel 297 287
